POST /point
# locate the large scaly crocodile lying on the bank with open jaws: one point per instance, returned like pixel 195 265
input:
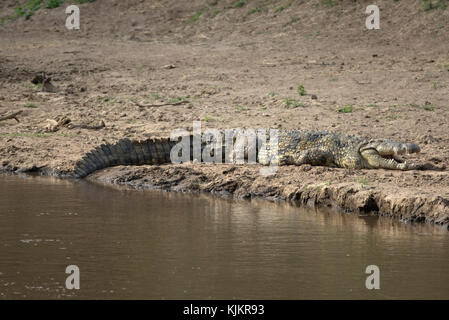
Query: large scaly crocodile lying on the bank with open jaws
pixel 294 147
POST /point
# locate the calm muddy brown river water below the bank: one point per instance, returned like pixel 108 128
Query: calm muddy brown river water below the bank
pixel 159 245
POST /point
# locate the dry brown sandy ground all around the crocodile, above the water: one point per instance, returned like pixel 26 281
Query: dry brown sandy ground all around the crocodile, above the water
pixel 237 69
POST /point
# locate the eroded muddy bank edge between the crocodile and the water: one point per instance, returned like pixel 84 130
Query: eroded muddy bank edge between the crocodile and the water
pixel 354 191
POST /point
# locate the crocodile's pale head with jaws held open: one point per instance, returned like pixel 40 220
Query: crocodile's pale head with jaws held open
pixel 384 154
